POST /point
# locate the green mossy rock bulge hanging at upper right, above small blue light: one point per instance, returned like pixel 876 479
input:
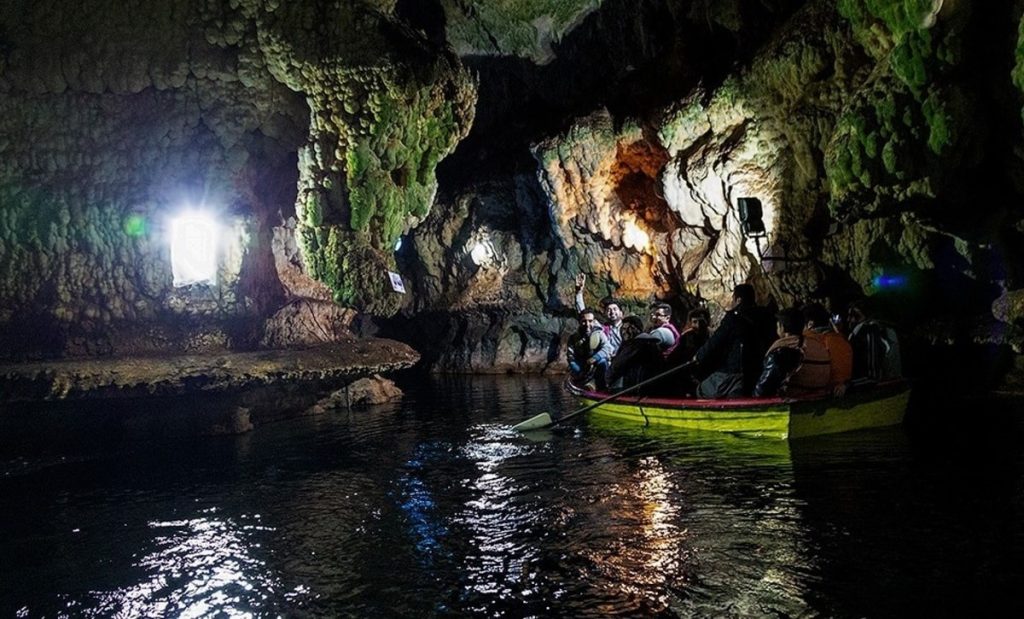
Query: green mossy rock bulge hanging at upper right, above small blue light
pixel 910 123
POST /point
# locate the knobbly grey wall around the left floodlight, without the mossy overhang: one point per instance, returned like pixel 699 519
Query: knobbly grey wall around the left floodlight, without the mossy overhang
pixel 114 119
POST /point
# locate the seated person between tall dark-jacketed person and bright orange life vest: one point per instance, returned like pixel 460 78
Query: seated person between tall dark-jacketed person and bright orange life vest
pixel 795 364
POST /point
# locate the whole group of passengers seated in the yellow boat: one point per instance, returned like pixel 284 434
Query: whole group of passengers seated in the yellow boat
pixel 803 350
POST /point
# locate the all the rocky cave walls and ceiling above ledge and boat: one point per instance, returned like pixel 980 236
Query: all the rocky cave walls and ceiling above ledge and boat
pixel 610 138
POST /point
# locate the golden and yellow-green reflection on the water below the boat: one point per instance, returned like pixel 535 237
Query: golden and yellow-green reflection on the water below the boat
pixel 722 522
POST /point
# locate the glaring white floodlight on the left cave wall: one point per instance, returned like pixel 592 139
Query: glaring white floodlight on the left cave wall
pixel 194 249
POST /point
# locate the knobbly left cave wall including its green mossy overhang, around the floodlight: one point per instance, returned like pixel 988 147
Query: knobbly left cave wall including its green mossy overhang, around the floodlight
pixel 312 131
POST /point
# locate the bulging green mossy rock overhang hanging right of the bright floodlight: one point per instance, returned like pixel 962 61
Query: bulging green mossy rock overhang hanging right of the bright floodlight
pixel 386 108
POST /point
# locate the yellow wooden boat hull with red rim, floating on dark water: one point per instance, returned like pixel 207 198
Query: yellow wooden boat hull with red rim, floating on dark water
pixel 864 406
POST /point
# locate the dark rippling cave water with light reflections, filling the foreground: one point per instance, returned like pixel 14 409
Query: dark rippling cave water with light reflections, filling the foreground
pixel 435 507
